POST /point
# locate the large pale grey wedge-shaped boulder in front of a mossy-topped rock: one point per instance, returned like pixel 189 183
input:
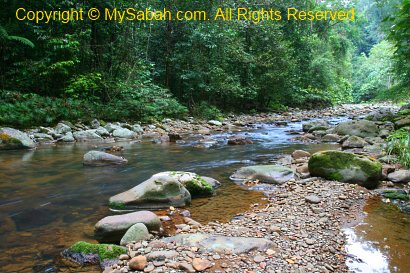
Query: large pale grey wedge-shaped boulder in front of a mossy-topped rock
pixel 160 191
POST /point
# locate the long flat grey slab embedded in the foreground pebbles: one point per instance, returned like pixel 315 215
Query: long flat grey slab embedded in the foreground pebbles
pixel 221 244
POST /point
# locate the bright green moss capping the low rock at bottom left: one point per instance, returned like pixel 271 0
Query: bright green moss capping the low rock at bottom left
pixel 104 251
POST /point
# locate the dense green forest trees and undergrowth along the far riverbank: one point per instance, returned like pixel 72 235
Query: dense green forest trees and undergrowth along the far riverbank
pixel 143 70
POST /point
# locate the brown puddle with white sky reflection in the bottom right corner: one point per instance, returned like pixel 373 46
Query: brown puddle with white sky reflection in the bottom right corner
pixel 382 241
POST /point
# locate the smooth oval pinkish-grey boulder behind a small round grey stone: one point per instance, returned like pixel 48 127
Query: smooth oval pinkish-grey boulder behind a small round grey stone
pixel 112 228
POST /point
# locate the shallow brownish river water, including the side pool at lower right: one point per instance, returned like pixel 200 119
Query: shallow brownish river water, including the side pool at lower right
pixel 48 200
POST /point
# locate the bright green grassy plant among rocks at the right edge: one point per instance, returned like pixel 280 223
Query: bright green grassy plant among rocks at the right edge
pixel 399 144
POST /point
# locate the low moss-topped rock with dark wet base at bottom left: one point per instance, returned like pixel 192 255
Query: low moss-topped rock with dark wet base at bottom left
pixel 84 253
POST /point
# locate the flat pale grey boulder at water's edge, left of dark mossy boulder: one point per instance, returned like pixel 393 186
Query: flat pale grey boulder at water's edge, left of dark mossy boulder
pixel 271 174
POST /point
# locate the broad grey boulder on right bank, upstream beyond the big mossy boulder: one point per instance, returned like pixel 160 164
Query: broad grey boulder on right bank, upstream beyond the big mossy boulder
pixel 361 128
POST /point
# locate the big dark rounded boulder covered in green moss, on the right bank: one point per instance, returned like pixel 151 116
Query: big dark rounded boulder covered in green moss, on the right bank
pixel 346 167
